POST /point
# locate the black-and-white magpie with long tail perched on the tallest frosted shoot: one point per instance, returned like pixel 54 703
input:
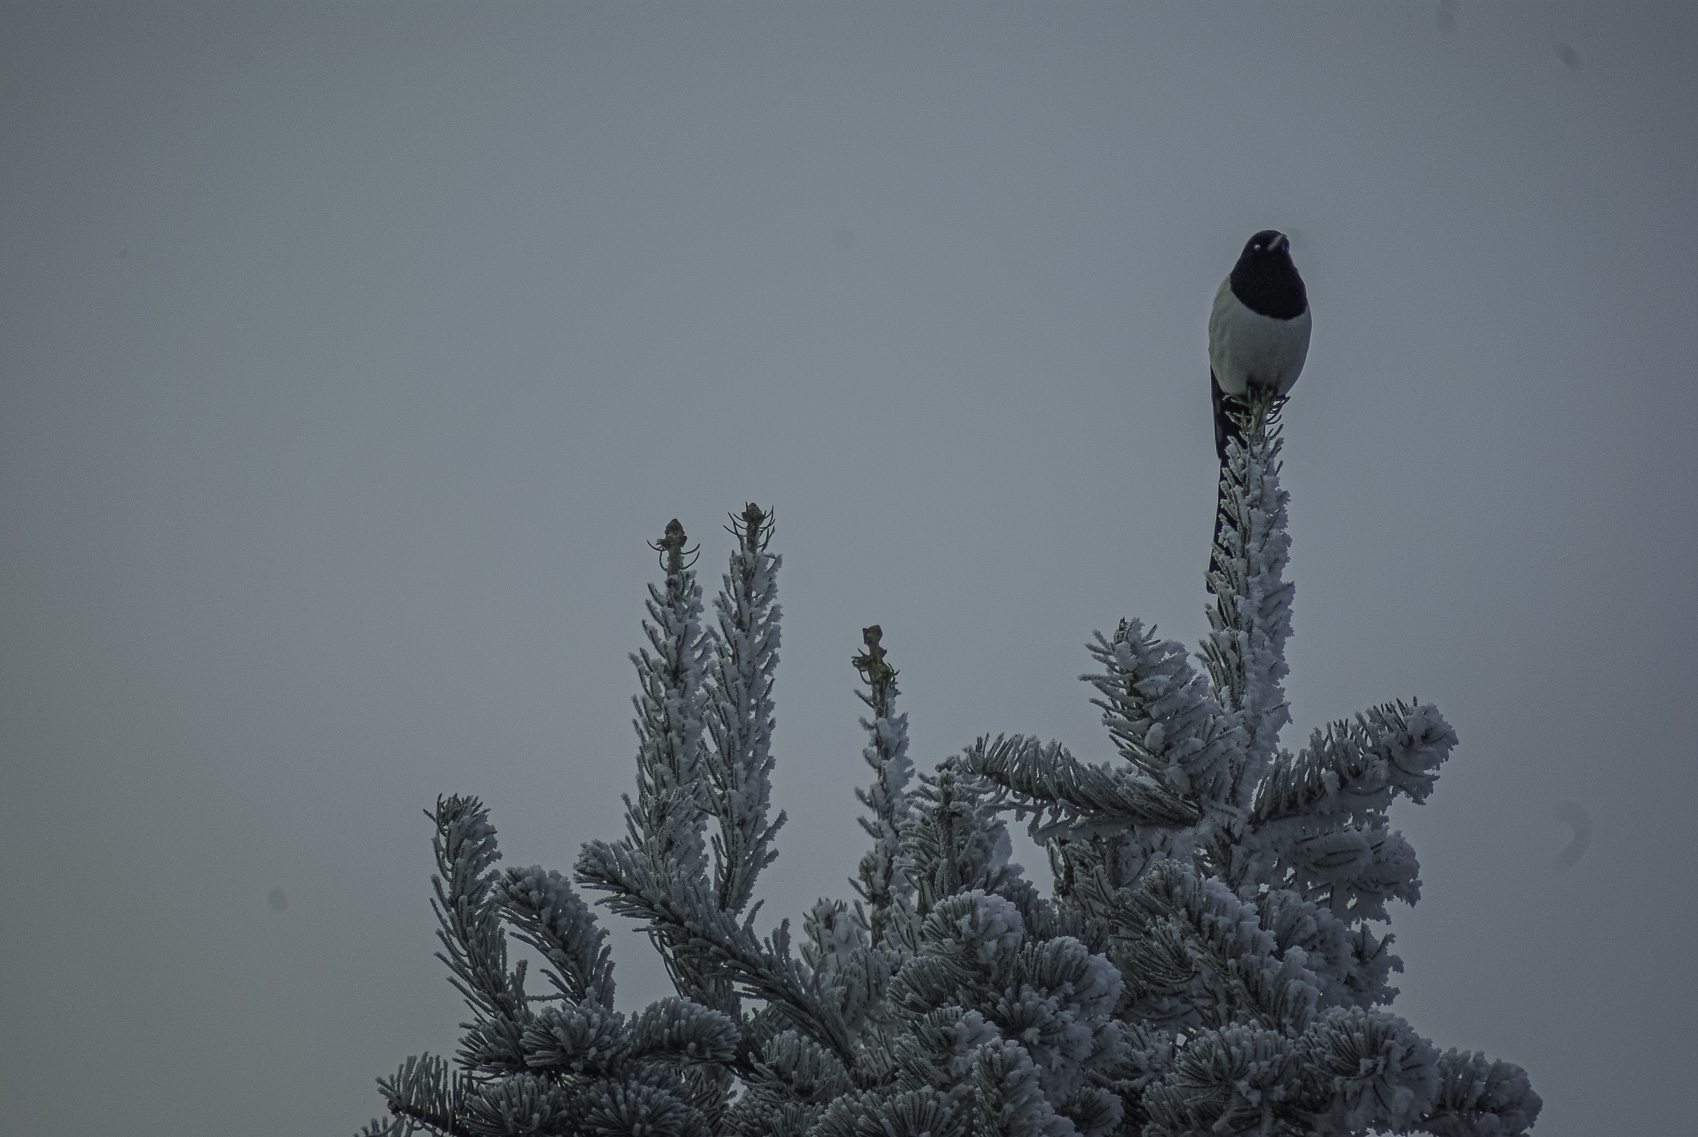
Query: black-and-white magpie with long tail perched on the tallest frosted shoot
pixel 1259 339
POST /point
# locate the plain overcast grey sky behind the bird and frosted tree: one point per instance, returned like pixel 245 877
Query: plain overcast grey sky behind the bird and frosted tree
pixel 352 354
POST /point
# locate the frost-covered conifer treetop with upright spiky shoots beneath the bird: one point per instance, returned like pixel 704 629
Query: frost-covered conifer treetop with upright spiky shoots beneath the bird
pixel 1210 961
